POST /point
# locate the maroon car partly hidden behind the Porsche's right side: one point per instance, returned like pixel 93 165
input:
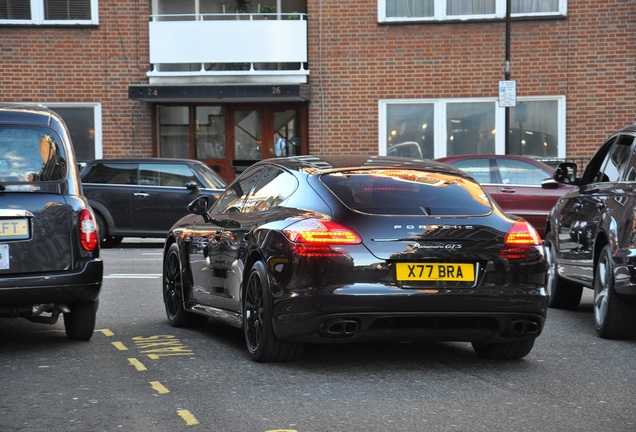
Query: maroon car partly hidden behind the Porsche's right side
pixel 521 185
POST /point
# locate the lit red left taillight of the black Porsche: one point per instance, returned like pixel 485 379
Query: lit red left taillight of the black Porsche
pixel 313 237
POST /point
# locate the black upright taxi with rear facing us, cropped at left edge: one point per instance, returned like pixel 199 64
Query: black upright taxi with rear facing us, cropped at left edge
pixel 49 248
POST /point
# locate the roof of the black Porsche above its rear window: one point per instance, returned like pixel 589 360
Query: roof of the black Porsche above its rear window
pixel 327 163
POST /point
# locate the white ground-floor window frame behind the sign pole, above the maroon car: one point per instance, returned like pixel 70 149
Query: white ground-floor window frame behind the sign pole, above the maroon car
pixel 439 120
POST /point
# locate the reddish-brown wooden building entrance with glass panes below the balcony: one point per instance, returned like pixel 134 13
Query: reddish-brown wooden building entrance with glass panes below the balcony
pixel 231 137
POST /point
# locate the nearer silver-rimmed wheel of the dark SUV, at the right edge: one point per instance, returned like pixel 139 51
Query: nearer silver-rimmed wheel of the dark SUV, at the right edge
pixel 614 318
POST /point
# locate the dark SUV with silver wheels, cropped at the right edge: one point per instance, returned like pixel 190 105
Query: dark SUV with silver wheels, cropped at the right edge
pixel 592 237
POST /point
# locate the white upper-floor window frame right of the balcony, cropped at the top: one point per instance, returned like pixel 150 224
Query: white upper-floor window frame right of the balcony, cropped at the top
pixel 439 13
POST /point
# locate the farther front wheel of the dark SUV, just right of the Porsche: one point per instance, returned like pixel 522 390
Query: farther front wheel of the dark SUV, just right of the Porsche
pixel 563 294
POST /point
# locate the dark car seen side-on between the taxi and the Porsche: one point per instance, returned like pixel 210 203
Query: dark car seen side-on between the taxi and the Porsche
pixel 144 197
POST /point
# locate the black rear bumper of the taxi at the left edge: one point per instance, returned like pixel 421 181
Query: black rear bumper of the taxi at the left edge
pixel 58 288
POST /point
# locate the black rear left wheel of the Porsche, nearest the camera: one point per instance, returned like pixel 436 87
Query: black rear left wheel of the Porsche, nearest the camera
pixel 262 343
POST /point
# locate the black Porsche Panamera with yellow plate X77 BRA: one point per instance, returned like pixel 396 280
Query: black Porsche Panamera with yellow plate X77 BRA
pixel 341 249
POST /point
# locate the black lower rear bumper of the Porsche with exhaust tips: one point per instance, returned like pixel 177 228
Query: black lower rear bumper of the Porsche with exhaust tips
pixel 355 313
